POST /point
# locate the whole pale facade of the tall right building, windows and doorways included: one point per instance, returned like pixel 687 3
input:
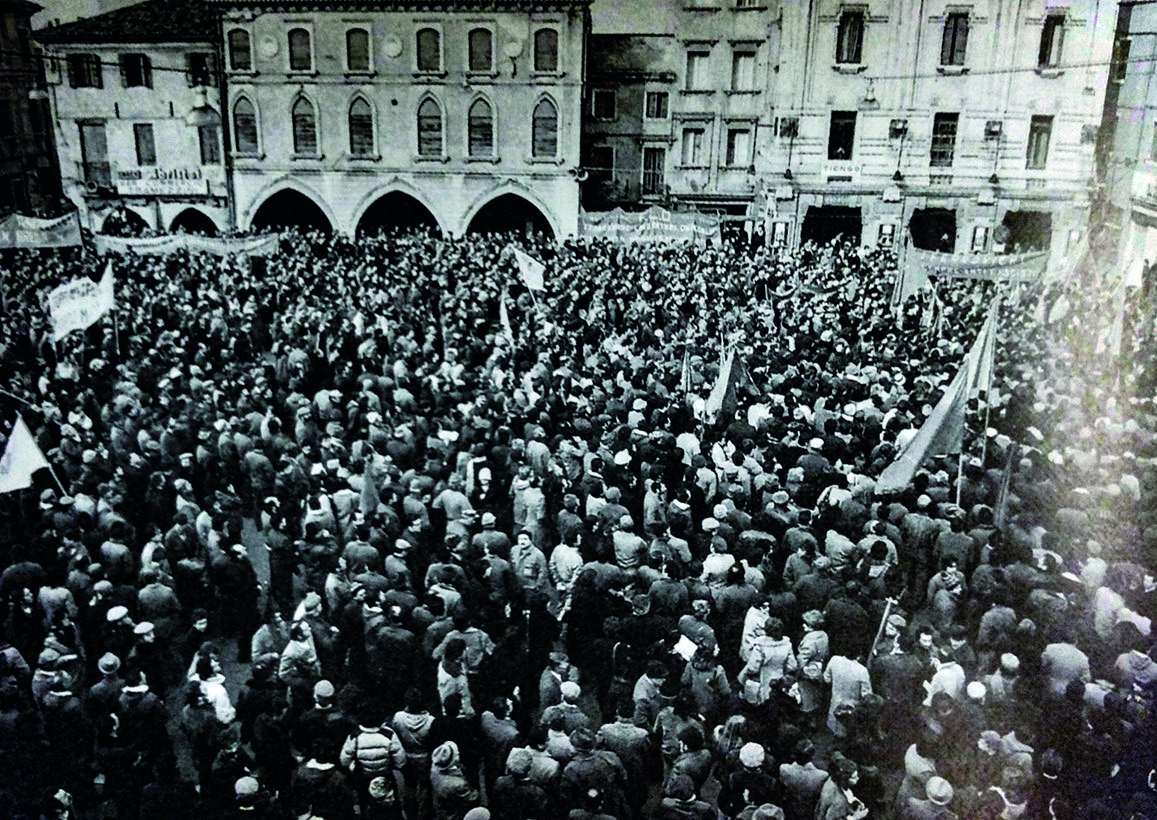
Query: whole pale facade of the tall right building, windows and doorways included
pixel 960 128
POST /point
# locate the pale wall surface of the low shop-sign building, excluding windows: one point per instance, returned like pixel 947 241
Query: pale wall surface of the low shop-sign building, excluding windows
pixel 158 193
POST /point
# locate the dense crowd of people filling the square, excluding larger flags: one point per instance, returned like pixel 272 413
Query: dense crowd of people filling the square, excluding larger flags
pixel 369 529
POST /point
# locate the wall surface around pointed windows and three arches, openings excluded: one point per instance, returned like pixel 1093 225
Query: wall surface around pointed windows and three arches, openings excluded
pixel 454 186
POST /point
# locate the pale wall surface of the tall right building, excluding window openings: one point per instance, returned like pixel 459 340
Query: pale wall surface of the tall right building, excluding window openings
pixel 900 77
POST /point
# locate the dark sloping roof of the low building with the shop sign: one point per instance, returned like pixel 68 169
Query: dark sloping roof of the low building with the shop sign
pixel 153 21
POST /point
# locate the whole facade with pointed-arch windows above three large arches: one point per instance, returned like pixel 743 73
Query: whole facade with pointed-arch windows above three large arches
pixel 456 115
